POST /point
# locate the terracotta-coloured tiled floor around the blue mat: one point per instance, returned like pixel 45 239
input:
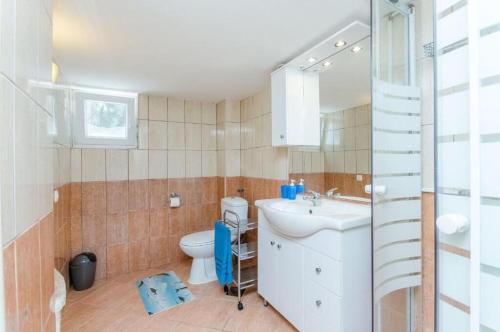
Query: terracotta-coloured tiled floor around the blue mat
pixel 115 306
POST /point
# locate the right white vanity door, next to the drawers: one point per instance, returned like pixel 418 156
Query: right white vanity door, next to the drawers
pixel 291 281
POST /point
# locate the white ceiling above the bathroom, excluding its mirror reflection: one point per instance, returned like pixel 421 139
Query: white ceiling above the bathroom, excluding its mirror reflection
pixel 205 50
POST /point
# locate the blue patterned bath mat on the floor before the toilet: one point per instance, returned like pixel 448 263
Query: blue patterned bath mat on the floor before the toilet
pixel 162 291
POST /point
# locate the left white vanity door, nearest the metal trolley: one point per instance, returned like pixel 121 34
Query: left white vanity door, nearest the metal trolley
pixel 267 268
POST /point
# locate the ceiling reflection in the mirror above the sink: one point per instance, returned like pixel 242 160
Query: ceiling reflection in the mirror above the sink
pixel 347 82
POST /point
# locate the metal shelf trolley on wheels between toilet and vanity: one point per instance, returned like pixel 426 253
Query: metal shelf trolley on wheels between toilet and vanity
pixel 243 277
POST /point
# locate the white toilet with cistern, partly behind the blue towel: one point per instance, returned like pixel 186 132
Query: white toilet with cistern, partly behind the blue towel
pixel 200 245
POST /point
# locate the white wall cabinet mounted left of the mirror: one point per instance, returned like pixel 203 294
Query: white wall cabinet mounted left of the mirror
pixel 295 107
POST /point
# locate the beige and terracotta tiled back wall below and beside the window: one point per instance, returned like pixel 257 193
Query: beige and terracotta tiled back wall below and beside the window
pixel 120 198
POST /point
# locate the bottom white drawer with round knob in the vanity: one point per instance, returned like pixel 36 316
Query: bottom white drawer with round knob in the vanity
pixel 322 309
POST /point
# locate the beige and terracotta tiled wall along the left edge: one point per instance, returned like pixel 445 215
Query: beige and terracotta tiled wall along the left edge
pixel 28 113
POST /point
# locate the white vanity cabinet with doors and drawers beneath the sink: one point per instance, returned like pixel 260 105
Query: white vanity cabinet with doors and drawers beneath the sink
pixel 319 283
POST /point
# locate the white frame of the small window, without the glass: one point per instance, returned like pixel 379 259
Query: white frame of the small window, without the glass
pixel 80 140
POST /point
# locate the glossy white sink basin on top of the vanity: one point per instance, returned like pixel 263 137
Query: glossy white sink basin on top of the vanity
pixel 299 218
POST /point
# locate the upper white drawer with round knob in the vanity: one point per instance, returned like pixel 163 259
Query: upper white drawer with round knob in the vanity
pixel 324 270
